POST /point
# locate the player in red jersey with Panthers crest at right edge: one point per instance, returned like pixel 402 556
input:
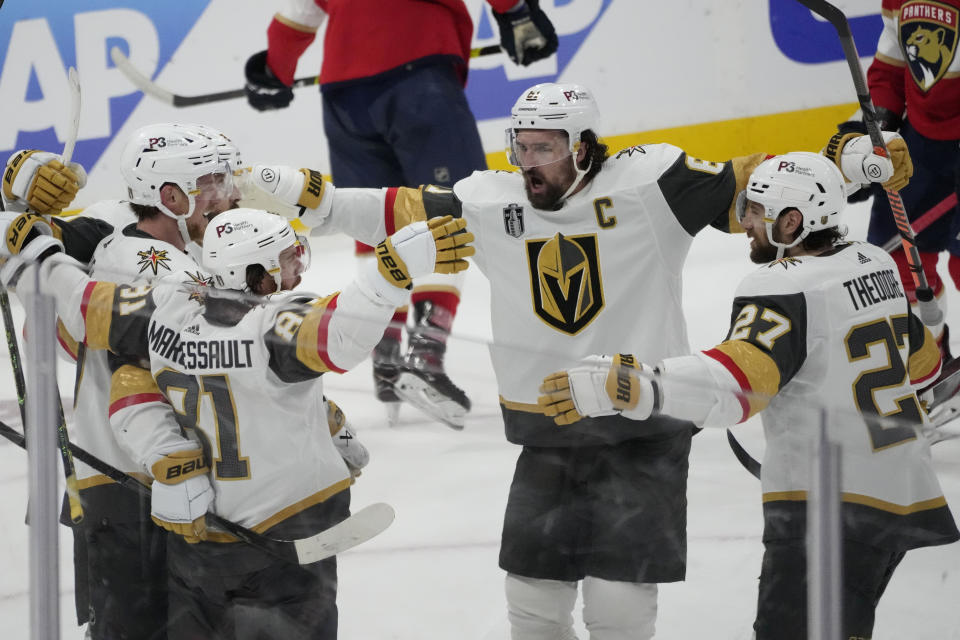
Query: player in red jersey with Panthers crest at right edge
pixel 914 83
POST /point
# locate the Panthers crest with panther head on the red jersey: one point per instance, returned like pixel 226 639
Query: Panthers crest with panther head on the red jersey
pixel 928 35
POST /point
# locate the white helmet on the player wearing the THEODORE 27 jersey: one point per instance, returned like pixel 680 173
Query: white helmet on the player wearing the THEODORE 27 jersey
pixel 807 182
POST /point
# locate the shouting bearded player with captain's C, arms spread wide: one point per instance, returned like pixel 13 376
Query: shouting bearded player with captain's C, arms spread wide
pixel 584 255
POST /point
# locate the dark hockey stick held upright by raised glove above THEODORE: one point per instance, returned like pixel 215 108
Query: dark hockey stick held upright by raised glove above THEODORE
pixel 929 311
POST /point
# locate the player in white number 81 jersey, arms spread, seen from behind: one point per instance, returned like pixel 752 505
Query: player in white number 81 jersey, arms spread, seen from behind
pixel 242 373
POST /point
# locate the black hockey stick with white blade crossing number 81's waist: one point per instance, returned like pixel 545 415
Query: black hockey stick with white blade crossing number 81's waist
pixel 357 528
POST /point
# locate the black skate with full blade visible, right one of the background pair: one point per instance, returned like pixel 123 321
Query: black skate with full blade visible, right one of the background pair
pixel 421 380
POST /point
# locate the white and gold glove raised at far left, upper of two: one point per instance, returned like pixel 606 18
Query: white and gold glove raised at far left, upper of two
pixel 38 180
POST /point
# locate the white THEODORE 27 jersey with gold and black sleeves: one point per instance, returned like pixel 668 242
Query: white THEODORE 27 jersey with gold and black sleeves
pixel 833 332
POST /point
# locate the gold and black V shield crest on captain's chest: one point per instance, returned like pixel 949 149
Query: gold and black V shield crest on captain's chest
pixel 565 281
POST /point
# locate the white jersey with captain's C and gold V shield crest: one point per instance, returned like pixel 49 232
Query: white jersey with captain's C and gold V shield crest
pixel 600 275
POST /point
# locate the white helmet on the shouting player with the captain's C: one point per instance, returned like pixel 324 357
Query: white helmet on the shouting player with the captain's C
pixel 567 107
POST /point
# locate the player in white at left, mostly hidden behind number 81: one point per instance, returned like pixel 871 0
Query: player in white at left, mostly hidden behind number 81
pixel 178 177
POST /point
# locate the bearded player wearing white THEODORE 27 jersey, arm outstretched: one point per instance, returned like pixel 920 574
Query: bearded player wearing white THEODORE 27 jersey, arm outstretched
pixel 823 324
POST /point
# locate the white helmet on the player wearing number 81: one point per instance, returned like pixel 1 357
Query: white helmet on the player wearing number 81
pixel 239 238
